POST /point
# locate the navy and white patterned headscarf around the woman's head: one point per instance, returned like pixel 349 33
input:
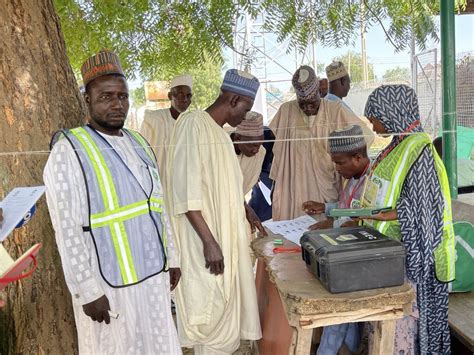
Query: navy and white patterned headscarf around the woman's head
pixel 395 106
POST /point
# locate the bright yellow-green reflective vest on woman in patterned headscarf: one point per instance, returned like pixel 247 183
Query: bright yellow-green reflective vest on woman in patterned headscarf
pixel 384 186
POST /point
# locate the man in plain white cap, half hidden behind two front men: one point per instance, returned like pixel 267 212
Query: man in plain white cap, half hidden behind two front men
pixel 157 125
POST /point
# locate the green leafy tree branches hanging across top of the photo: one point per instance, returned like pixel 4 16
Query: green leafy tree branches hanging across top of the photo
pixel 161 38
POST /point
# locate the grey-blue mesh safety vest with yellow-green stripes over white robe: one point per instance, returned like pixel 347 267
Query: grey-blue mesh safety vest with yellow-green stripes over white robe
pixel 125 221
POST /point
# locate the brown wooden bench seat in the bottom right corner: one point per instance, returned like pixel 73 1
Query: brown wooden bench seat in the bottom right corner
pixel 461 317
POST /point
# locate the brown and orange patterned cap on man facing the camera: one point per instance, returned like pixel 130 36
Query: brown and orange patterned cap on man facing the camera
pixel 103 63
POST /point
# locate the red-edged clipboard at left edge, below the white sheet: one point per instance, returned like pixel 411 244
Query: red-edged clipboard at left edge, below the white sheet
pixel 15 270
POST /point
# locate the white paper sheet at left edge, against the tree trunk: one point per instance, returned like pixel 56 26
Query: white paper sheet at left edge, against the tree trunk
pixel 16 205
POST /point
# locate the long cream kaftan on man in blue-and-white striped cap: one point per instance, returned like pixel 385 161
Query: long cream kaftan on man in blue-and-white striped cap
pixel 214 312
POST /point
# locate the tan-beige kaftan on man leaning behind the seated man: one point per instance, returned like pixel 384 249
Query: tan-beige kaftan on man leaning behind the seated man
pixel 302 168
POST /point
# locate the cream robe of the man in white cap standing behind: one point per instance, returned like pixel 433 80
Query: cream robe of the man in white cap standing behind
pixel 156 127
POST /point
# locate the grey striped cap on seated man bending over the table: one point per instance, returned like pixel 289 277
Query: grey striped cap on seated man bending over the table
pixel 347 140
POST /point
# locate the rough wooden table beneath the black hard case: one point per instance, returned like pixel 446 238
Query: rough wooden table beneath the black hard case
pixel 292 302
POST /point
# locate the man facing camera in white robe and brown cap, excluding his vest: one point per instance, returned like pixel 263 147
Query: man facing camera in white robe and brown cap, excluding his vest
pixel 135 318
